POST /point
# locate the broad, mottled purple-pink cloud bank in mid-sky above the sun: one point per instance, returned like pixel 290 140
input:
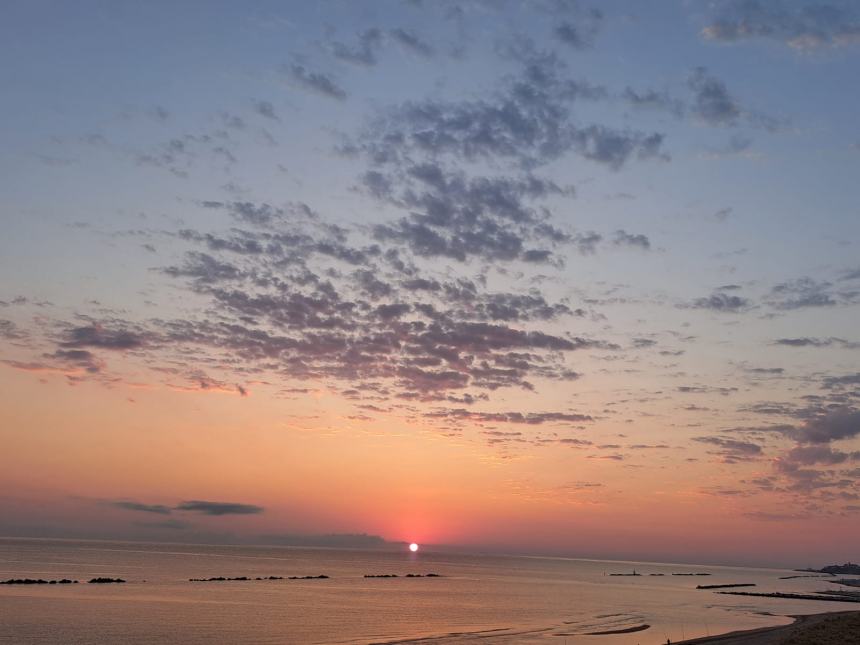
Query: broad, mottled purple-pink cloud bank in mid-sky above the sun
pixel 422 335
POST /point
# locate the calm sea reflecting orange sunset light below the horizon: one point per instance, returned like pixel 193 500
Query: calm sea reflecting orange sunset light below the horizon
pixel 487 599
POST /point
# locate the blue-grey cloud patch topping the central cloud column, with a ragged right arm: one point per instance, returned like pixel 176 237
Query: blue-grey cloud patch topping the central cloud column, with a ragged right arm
pixel 527 121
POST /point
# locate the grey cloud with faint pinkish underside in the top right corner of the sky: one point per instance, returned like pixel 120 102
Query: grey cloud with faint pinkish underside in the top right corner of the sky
pixel 802 25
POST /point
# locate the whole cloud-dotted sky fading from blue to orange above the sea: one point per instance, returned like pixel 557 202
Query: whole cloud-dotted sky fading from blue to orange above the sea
pixel 547 276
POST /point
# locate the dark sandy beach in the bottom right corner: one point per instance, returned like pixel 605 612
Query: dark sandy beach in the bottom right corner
pixel 828 625
